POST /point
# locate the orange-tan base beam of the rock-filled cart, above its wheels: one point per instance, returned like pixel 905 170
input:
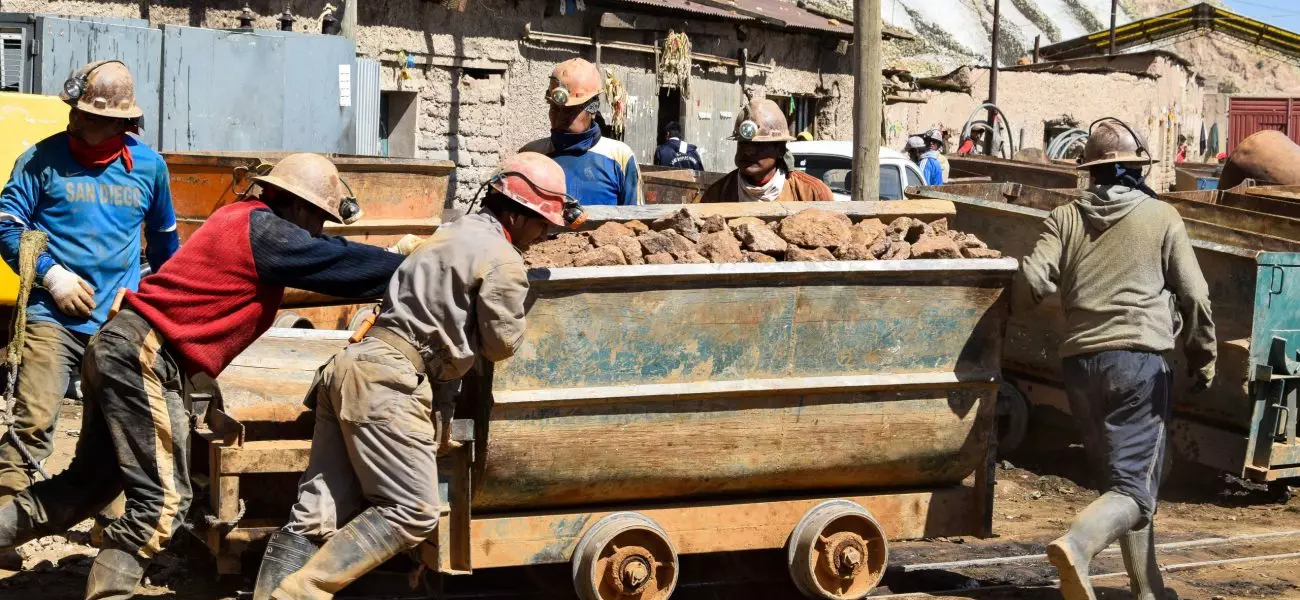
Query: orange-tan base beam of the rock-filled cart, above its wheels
pixel 549 538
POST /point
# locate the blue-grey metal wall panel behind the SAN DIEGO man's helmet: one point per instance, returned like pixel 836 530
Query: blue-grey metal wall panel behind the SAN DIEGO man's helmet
pixel 66 45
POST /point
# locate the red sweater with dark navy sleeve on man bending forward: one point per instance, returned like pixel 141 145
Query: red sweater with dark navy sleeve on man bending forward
pixel 222 290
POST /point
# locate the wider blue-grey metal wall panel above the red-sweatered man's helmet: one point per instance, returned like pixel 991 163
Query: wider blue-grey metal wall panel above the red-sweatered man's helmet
pixel 257 92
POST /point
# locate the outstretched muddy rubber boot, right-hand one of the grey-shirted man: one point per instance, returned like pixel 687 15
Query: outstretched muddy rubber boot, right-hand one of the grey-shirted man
pixel 366 544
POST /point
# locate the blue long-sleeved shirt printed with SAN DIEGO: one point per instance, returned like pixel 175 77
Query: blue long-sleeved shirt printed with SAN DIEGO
pixel 93 219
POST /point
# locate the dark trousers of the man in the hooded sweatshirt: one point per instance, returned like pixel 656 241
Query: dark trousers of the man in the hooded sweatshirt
pixel 1121 403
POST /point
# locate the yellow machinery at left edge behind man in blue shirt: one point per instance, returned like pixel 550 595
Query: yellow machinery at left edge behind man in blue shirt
pixel 25 120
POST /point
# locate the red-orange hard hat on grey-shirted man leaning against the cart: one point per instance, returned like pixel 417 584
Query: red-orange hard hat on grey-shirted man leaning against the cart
pixel 538 182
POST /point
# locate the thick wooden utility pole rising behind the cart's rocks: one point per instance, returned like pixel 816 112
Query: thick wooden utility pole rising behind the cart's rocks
pixel 868 101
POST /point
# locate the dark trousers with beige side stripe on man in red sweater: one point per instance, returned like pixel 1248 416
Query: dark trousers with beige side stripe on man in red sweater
pixel 135 440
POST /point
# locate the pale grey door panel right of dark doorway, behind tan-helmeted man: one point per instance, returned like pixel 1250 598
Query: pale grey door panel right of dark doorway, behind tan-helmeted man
pixel 708 119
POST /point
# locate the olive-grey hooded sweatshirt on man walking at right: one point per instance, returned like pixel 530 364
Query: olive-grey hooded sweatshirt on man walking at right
pixel 1124 264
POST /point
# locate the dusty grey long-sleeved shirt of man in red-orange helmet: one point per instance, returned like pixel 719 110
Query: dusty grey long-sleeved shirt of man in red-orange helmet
pixel 460 295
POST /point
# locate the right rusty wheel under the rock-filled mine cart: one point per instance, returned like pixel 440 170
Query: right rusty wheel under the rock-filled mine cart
pixel 838 553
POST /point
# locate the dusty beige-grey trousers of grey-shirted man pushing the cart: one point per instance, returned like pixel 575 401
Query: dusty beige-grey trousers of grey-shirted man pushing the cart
pixel 375 445
